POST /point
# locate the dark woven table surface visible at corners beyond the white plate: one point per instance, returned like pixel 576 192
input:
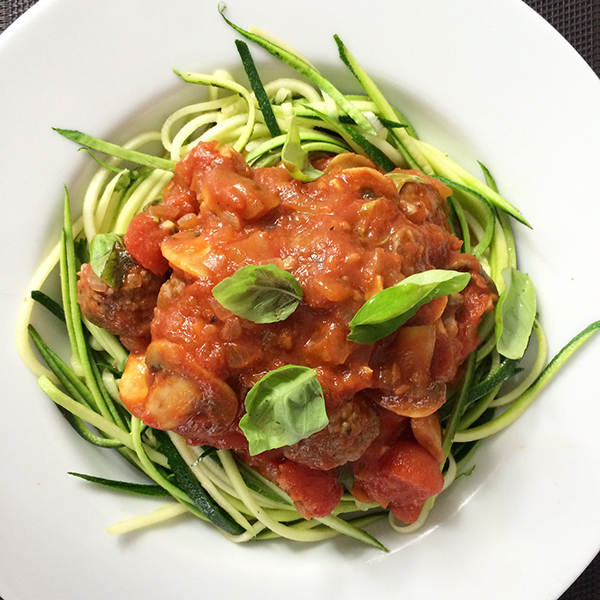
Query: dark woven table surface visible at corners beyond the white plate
pixel 579 22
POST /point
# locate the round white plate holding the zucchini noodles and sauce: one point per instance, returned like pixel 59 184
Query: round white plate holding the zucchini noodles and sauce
pixel 483 80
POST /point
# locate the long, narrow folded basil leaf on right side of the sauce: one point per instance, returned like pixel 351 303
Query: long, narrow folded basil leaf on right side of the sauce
pixel 389 309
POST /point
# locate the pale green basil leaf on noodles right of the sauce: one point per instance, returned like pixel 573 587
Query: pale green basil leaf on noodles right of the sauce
pixel 515 314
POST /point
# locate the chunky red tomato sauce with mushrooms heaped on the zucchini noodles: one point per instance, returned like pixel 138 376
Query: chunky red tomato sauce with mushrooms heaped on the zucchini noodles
pixel 344 237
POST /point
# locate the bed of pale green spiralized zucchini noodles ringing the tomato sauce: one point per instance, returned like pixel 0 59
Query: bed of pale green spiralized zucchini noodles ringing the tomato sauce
pixel 249 506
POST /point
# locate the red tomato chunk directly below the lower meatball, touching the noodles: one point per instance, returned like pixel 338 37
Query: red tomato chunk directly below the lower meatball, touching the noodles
pixel 315 493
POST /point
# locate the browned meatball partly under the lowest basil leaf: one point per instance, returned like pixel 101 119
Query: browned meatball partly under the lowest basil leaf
pixel 352 428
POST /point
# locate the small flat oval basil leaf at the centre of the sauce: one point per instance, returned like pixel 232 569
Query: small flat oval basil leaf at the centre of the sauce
pixel 259 293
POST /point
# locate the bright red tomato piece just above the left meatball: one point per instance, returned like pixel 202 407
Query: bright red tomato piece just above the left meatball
pixel 143 239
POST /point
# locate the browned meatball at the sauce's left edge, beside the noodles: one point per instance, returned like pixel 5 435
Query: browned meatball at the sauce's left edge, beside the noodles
pixel 125 311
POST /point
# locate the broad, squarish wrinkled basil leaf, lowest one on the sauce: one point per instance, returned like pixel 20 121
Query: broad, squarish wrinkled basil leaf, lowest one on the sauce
pixel 284 407
